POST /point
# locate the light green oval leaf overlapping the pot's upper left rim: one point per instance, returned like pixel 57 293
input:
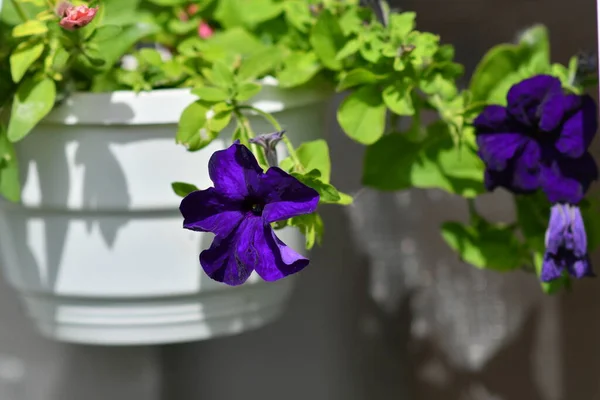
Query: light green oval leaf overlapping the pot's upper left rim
pixel 33 101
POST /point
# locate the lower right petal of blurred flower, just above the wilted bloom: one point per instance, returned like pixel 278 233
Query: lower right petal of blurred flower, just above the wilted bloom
pixel 567 179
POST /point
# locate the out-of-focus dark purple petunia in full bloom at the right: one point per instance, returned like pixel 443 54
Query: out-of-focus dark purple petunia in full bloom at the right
pixel 539 140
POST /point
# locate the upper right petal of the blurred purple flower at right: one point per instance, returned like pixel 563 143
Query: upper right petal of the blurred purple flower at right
pixel 579 129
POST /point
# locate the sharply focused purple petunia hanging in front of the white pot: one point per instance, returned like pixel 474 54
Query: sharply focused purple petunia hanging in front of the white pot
pixel 239 210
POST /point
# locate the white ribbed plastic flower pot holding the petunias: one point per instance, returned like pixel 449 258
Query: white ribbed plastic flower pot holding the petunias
pixel 96 248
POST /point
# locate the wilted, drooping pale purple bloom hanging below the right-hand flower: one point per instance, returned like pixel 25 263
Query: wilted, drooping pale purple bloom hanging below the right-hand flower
pixel 566 244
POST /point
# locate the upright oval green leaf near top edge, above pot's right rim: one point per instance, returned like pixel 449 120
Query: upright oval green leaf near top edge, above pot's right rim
pixel 327 39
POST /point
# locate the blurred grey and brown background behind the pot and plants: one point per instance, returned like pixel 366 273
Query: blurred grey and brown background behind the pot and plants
pixel 385 311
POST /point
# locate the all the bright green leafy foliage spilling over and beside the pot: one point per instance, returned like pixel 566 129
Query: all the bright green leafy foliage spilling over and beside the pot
pixel 387 68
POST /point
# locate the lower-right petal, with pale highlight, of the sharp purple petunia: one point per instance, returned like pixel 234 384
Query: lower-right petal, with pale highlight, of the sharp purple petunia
pixel 277 259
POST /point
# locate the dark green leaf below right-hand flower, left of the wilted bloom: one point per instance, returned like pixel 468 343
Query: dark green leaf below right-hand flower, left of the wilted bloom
pixel 486 246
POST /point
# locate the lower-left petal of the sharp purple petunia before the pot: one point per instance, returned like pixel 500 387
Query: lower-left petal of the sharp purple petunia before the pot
pixel 232 259
